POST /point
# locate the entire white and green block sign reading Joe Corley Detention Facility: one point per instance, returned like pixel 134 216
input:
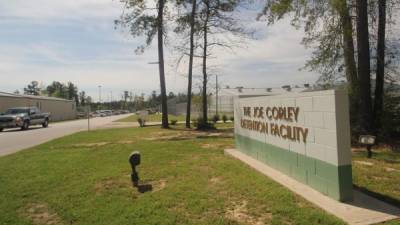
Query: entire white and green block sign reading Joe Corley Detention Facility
pixel 304 135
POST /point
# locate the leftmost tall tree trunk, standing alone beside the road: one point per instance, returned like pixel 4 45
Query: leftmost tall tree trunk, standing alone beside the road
pixel 164 107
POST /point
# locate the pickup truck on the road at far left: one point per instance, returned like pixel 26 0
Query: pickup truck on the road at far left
pixel 23 117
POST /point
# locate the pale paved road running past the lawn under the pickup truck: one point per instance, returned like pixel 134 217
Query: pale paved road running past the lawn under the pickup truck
pixel 14 140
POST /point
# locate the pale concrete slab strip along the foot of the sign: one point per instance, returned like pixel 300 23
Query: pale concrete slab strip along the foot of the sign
pixel 363 210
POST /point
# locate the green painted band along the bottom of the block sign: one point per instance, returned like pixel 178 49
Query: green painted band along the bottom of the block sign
pixel 331 180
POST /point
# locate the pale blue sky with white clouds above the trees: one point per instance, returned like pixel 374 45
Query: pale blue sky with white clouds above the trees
pixel 76 40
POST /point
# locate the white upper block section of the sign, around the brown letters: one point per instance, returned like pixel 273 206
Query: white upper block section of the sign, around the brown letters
pixel 324 113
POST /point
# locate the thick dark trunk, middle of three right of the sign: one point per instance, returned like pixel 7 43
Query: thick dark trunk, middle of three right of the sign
pixel 364 68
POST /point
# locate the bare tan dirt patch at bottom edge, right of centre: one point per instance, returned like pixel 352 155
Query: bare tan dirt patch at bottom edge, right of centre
pixel 239 213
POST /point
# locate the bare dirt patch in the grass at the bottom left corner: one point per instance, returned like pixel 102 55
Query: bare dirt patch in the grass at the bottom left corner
pixel 40 214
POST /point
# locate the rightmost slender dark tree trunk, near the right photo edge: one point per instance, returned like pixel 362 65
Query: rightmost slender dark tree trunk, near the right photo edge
pixel 380 64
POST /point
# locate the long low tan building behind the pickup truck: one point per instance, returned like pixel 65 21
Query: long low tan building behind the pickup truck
pixel 60 109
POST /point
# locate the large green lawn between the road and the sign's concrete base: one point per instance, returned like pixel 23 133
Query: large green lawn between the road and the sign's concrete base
pixel 85 179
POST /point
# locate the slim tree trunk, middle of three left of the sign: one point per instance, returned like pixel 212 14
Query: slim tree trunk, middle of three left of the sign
pixel 189 95
